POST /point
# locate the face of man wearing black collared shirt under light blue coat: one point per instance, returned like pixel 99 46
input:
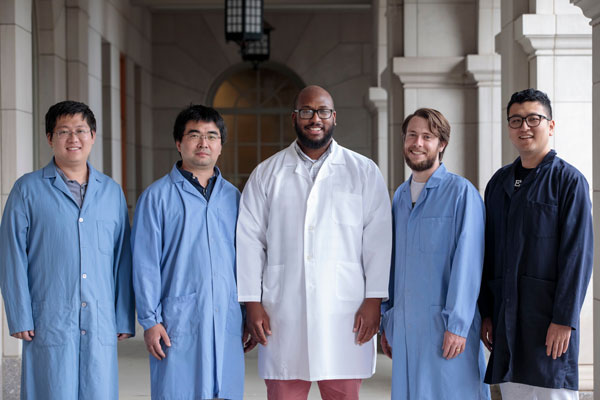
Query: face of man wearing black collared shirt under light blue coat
pixel 198 151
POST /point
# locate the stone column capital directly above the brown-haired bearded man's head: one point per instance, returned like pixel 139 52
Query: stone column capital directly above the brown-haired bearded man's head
pixel 430 72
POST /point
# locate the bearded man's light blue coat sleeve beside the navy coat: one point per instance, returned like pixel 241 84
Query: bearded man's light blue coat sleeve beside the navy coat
pixel 467 263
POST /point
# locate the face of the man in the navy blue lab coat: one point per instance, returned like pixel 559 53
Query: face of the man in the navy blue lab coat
pixel 527 140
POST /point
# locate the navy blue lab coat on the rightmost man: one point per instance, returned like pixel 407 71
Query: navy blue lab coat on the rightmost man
pixel 537 266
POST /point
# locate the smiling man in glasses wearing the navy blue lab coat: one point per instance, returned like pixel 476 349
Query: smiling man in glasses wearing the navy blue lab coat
pixel 538 261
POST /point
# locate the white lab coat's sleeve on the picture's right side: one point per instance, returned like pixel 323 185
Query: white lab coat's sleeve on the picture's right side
pixel 377 235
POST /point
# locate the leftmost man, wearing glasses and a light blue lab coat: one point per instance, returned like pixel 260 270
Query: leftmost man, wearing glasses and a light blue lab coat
pixel 65 269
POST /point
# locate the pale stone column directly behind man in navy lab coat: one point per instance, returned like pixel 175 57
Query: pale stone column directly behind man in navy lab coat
pixel 547 45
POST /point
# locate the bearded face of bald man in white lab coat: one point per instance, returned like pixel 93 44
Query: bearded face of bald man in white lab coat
pixel 316 132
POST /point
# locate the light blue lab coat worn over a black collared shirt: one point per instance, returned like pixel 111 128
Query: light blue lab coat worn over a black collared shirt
pixel 184 278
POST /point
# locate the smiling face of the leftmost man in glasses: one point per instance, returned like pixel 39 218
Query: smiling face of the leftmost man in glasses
pixel 71 141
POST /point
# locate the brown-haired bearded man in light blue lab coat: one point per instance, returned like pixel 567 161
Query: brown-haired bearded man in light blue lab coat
pixel 431 322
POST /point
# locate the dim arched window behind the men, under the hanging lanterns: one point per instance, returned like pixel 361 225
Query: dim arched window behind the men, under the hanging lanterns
pixel 256 105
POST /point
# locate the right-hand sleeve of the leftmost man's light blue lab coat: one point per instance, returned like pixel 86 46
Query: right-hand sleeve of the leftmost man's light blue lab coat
pixel 124 302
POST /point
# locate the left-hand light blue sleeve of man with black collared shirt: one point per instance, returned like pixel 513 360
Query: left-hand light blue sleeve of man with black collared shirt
pixel 146 240
